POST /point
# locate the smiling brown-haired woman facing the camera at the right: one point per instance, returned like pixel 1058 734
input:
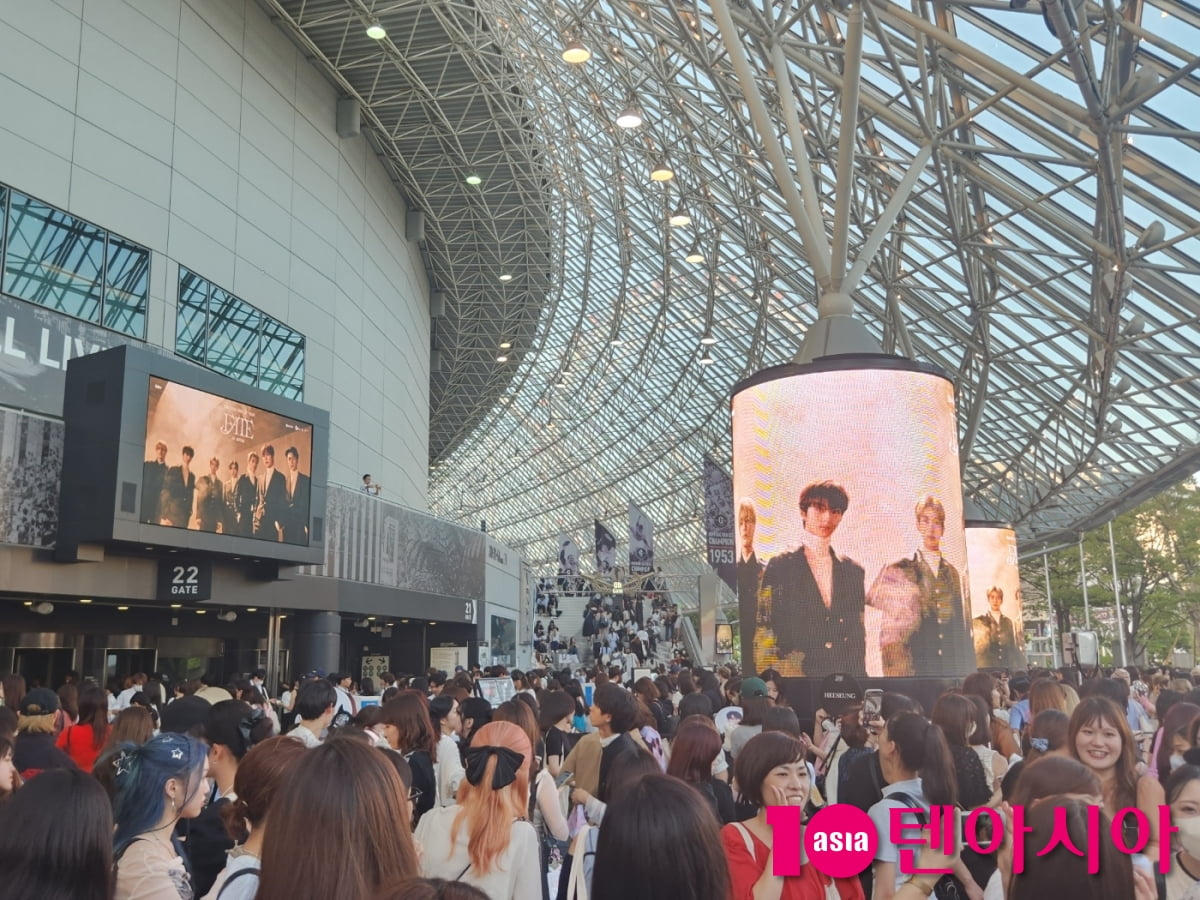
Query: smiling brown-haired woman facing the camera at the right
pixel 1100 737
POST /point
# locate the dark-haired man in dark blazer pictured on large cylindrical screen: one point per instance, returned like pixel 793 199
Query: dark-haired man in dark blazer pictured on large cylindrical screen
pixel 812 599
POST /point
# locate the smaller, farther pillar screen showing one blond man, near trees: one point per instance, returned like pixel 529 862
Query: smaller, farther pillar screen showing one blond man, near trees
pixel 997 625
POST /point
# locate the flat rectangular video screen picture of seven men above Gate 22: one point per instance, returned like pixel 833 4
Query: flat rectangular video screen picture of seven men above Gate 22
pixel 215 465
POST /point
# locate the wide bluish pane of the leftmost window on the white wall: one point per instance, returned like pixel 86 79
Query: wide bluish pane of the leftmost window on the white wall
pixel 53 259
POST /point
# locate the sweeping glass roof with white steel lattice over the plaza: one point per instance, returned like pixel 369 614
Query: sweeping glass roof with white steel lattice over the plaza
pixel 1047 256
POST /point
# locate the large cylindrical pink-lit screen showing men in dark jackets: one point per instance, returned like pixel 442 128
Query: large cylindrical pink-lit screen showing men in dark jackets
pixel 850 543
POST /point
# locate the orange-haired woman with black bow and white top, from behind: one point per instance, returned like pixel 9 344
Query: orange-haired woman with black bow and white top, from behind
pixel 485 841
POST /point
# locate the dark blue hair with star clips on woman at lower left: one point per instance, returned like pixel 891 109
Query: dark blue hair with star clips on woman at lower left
pixel 142 773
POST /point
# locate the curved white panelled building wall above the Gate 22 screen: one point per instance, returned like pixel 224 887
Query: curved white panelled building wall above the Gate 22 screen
pixel 196 129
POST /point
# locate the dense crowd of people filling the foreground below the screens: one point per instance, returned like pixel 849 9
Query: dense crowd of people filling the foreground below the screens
pixel 658 789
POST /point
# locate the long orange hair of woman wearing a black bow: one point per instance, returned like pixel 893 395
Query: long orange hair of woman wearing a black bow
pixel 487 812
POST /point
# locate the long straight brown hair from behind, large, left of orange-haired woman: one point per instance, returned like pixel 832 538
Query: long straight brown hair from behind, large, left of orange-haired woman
pixel 334 827
